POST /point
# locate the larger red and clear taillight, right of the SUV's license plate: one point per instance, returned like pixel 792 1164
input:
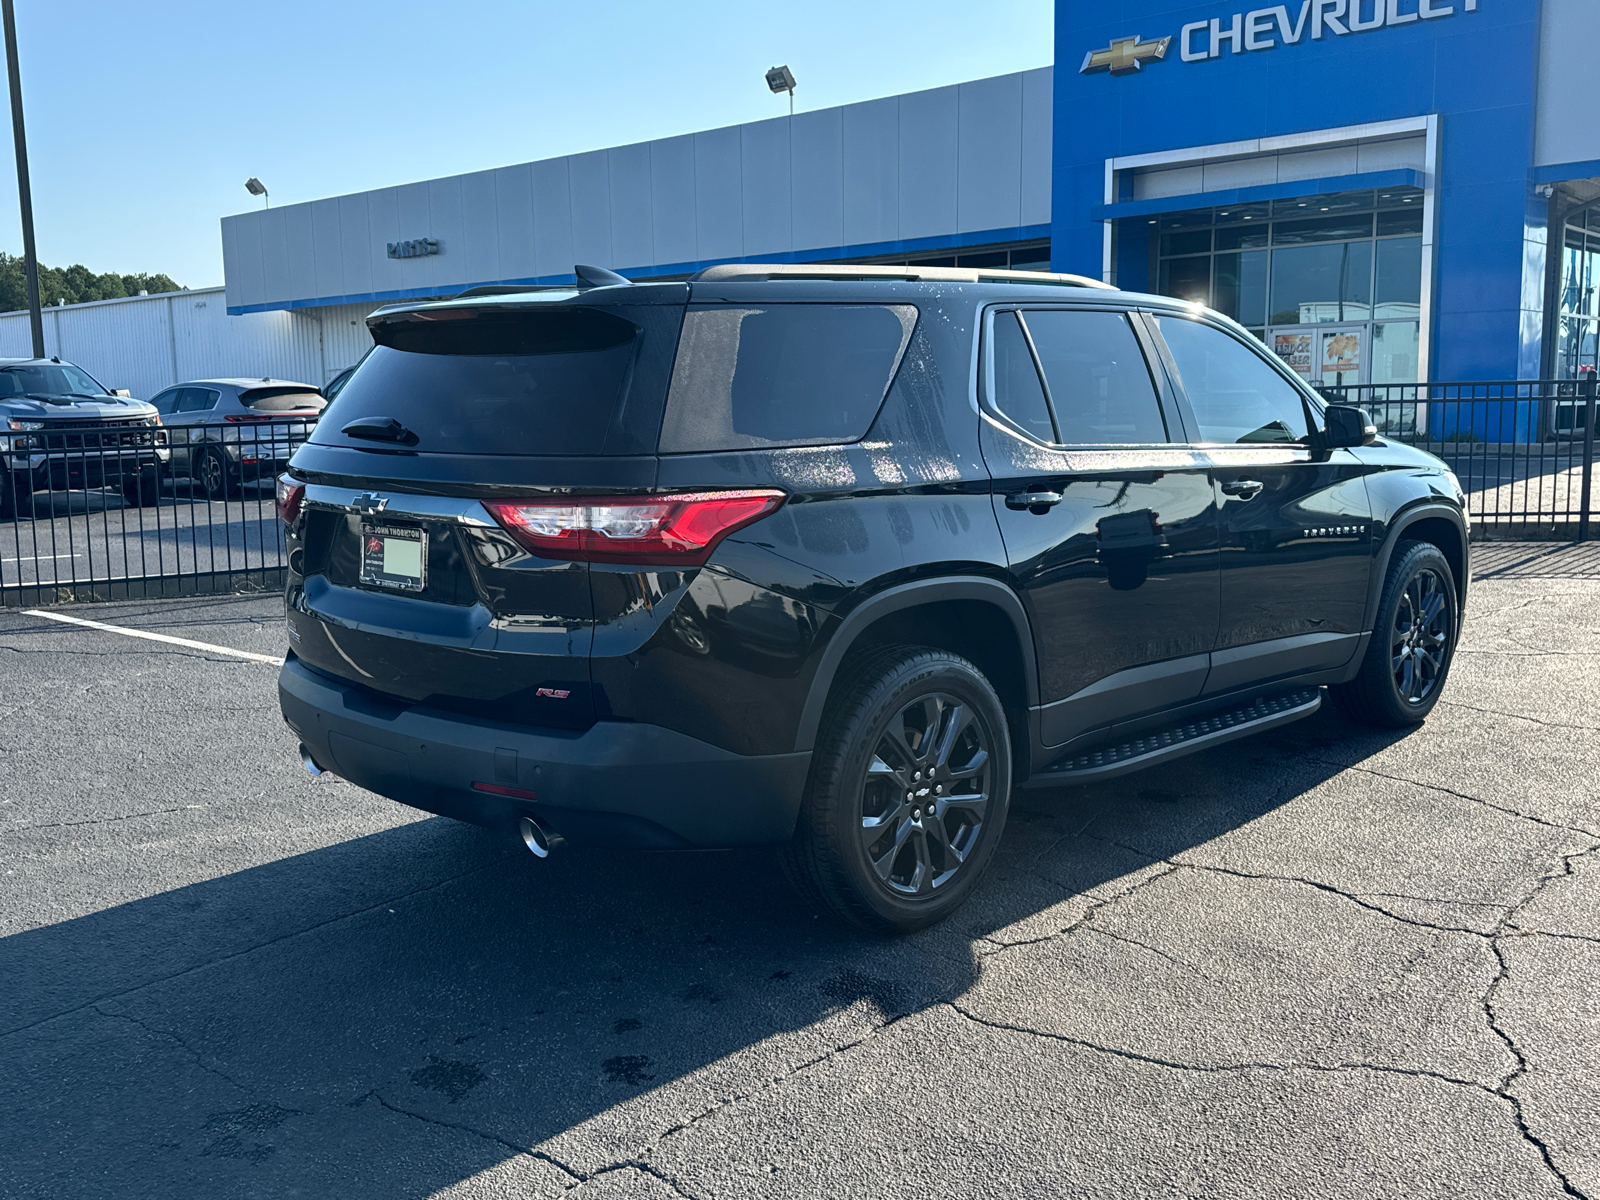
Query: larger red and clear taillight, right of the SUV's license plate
pixel 676 530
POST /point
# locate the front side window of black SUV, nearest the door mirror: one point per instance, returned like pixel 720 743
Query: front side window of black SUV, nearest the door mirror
pixel 1236 394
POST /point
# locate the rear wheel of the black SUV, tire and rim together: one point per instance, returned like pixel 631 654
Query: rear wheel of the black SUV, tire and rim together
pixel 868 767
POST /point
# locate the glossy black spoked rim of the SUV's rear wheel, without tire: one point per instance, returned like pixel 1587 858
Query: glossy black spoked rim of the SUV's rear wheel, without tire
pixel 926 796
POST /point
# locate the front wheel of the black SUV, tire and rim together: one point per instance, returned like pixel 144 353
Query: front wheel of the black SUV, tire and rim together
pixel 1414 642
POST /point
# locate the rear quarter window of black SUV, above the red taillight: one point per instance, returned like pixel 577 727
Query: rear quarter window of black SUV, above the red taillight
pixel 788 375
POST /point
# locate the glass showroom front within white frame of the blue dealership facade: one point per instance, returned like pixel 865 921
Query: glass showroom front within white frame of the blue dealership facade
pixel 1334 284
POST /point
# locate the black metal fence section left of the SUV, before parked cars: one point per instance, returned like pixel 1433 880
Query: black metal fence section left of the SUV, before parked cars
pixel 110 511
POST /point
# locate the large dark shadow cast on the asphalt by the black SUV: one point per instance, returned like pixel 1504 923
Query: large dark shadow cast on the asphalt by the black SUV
pixel 393 1015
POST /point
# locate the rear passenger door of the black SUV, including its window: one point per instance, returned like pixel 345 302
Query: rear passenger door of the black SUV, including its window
pixel 1108 516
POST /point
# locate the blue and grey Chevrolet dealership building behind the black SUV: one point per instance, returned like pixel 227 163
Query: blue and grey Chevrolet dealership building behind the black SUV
pixel 1385 191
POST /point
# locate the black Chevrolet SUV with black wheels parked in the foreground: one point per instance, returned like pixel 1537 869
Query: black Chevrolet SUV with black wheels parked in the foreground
pixel 836 558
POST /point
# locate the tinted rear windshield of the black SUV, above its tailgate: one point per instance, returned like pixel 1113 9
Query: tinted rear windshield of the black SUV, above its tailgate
pixel 463 382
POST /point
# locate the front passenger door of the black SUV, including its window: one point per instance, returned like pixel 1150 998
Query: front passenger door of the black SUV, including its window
pixel 1295 521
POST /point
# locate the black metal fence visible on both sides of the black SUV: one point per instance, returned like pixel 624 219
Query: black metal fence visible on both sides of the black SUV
pixel 110 511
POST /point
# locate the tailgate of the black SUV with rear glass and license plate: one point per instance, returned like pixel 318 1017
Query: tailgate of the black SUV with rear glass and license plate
pixel 409 586
